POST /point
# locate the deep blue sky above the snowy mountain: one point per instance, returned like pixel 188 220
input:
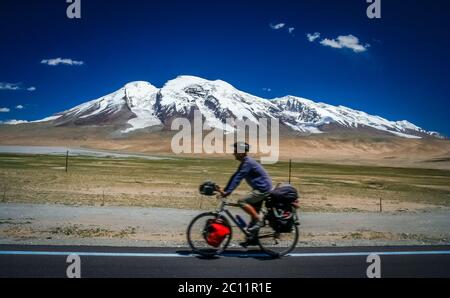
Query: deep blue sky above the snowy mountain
pixel 396 67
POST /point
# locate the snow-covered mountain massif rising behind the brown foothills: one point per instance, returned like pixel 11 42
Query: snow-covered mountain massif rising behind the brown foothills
pixel 140 105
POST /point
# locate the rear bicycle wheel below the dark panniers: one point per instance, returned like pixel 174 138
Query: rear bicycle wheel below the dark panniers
pixel 278 244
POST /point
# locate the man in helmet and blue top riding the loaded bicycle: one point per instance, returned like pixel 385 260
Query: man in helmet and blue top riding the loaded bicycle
pixel 258 179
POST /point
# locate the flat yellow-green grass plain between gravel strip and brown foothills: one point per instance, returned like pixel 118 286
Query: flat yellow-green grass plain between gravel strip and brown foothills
pixel 173 183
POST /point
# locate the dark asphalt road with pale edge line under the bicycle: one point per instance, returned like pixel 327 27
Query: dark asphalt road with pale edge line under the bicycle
pixel 51 261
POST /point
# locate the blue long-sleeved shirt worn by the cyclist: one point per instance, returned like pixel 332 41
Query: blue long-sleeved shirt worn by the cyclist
pixel 253 173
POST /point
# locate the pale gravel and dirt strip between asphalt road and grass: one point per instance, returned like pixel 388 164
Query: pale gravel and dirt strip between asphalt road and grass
pixel 160 227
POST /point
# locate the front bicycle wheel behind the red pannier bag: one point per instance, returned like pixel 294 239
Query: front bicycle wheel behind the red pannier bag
pixel 196 235
